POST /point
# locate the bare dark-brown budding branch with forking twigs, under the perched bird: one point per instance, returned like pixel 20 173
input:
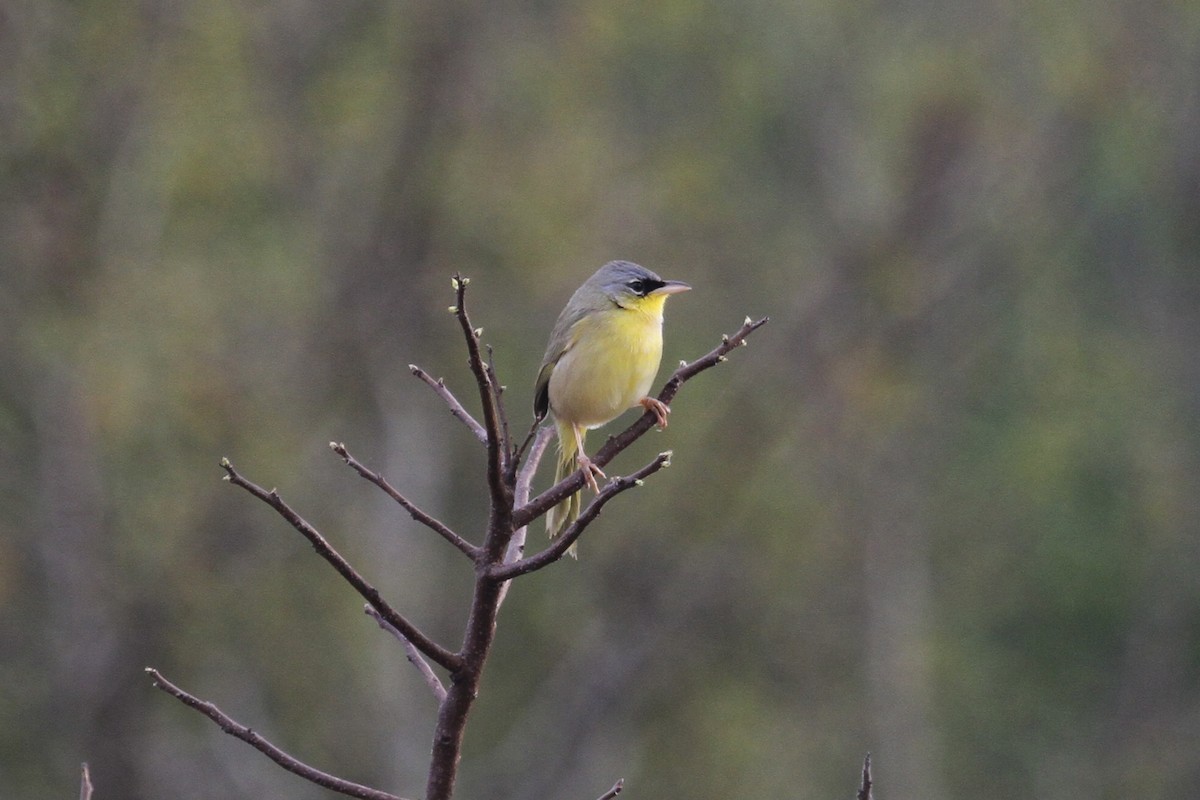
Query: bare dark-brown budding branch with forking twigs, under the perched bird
pixel 497 561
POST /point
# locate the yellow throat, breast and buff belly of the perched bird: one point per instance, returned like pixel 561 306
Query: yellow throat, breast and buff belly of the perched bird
pixel 610 366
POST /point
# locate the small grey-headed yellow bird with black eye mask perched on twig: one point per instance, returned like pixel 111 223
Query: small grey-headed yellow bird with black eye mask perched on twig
pixel 602 359
